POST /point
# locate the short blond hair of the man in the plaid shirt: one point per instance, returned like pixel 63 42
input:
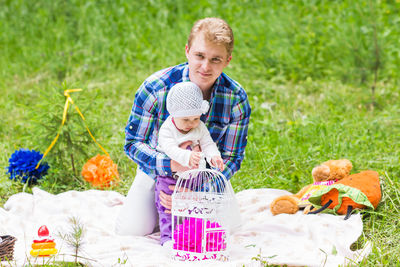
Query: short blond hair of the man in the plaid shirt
pixel 215 30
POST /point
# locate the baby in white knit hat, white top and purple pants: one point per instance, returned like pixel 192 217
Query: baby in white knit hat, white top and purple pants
pixel 185 105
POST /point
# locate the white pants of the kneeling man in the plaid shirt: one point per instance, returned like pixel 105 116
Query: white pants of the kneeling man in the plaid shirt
pixel 138 215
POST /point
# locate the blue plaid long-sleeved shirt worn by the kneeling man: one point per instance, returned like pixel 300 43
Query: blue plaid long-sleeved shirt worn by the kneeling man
pixel 227 120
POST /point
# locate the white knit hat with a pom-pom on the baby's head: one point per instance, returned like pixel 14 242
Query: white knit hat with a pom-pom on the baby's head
pixel 186 99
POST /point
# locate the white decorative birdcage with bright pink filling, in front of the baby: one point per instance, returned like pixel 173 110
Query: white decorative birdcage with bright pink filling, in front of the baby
pixel 200 214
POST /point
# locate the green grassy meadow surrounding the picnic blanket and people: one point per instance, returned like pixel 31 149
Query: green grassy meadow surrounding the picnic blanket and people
pixel 322 79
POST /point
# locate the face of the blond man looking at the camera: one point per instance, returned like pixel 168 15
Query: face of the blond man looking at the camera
pixel 206 60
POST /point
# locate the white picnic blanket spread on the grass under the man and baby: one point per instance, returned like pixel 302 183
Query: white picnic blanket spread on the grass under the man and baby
pixel 311 240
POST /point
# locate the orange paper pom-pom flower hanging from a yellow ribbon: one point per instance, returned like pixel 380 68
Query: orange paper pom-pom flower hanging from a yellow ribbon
pixel 101 171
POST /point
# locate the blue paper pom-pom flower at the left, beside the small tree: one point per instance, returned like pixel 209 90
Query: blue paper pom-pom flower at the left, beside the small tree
pixel 22 166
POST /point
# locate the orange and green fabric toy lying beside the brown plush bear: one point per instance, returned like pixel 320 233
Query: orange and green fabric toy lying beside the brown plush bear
pixel 357 191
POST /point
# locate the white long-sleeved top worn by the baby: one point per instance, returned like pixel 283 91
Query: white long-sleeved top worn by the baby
pixel 169 139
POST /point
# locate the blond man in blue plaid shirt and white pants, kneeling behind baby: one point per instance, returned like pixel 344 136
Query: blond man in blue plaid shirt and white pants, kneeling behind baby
pixel 208 51
